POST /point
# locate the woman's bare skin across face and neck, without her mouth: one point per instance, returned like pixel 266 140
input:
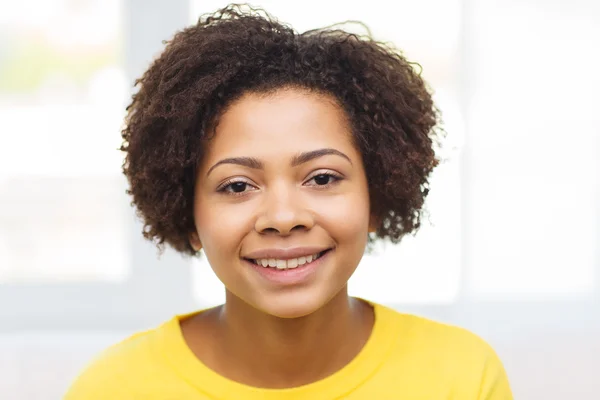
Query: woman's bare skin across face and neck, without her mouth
pixel 267 334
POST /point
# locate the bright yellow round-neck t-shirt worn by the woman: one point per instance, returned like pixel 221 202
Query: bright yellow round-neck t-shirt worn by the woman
pixel 406 357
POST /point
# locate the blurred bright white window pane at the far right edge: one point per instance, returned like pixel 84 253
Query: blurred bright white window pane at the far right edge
pixel 535 149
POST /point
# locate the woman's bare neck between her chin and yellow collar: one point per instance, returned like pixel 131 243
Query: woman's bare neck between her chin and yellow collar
pixel 265 351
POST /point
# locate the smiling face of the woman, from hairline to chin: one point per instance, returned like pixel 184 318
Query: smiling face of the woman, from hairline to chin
pixel 281 202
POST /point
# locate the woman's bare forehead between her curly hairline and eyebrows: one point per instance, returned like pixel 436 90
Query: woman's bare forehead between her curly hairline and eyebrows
pixel 289 120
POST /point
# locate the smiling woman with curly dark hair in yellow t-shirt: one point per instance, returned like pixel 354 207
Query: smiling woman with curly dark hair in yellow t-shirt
pixel 281 156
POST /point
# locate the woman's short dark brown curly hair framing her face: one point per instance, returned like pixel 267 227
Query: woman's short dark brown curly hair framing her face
pixel 236 50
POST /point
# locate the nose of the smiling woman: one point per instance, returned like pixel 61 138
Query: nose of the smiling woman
pixel 283 211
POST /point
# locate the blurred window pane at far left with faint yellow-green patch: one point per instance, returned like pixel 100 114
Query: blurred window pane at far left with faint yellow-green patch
pixel 62 93
